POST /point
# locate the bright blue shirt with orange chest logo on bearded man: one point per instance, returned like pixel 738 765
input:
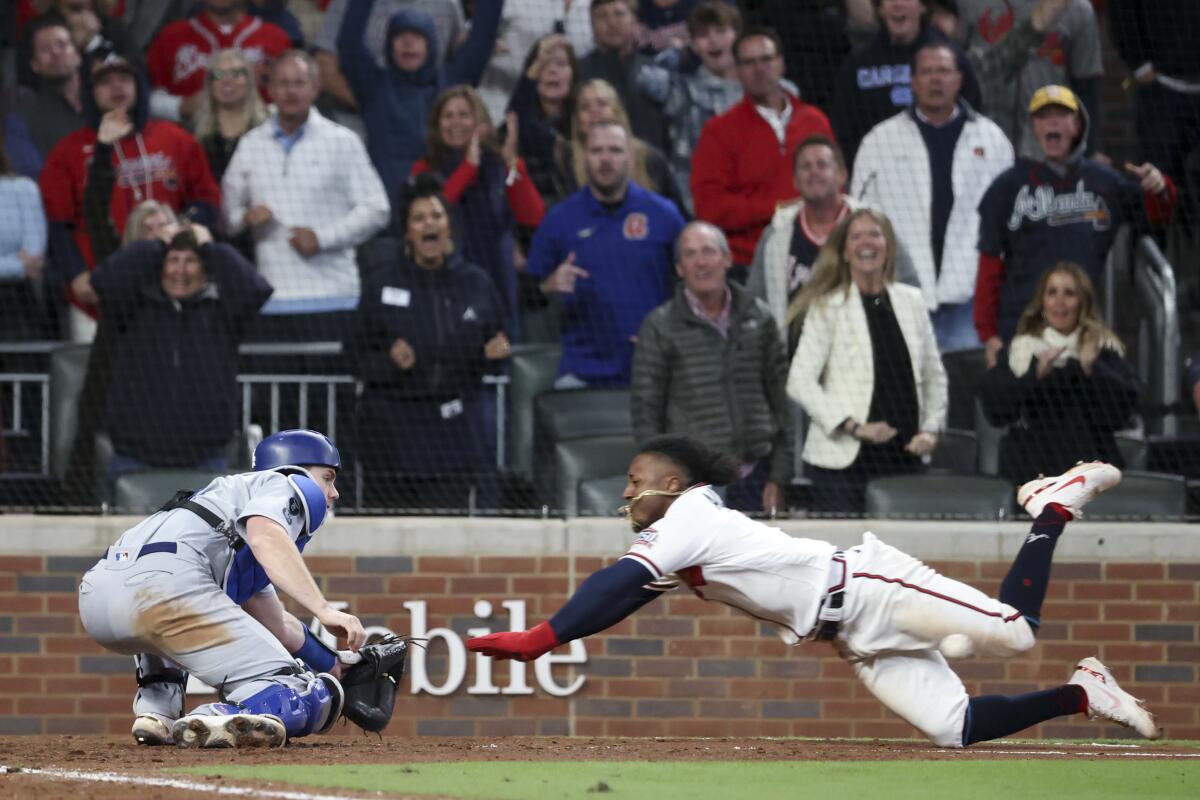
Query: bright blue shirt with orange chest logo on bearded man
pixel 628 254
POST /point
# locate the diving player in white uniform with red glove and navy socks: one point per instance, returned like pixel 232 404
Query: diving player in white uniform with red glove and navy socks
pixel 890 616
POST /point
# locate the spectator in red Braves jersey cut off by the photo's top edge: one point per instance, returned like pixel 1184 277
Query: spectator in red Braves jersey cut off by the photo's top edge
pixel 179 57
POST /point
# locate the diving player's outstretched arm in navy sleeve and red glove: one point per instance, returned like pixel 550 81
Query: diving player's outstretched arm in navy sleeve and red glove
pixel 605 599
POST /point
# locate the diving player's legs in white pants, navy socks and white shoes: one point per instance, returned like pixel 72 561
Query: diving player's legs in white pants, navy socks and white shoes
pixel 916 617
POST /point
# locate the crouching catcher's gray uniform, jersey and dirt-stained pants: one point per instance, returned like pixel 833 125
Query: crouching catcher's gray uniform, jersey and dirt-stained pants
pixel 171 592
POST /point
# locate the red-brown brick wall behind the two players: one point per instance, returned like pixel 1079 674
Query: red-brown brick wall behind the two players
pixel 681 667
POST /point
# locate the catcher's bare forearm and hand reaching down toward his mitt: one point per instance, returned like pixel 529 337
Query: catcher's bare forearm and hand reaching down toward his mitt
pixel 284 566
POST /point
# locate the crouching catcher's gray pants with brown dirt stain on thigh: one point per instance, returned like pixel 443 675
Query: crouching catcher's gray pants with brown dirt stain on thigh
pixel 169 606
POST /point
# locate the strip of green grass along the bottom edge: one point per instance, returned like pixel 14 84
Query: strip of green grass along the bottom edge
pixel 976 780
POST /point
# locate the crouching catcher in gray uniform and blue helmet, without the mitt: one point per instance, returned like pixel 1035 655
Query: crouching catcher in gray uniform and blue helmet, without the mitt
pixel 193 590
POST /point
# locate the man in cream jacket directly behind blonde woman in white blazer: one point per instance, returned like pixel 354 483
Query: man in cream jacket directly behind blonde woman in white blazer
pixel 789 246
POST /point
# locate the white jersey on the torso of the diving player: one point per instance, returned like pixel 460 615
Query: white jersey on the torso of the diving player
pixel 727 557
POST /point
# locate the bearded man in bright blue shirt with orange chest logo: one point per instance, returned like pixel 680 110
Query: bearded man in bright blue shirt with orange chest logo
pixel 607 252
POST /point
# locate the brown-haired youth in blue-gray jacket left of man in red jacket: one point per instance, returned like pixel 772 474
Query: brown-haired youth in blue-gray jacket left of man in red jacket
pixel 689 101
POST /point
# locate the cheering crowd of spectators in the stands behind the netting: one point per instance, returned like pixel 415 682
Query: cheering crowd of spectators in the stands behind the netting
pixel 769 220
